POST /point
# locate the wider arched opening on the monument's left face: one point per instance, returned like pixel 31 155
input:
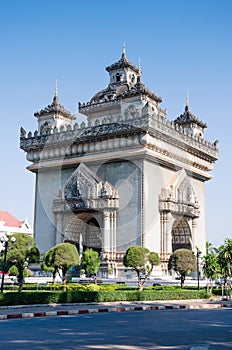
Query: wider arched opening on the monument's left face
pixel 84 231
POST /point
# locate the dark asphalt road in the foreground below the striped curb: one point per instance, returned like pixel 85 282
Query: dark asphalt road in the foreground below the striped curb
pixel 167 329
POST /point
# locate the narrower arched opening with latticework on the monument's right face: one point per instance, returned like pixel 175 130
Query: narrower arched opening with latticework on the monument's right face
pixel 181 235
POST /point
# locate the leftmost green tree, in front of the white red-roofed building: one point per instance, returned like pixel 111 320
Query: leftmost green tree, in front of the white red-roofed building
pixel 19 254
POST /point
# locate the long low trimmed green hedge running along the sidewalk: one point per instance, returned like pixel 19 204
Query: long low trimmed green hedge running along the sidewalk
pixel 49 297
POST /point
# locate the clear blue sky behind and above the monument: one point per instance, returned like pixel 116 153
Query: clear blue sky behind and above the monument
pixel 183 45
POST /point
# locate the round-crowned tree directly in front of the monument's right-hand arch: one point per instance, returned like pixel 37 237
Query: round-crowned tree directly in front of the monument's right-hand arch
pixel 182 261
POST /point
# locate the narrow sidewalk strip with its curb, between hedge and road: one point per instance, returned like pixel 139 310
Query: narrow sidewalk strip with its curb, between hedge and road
pixel 41 310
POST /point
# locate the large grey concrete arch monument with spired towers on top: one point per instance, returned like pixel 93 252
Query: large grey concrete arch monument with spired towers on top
pixel 128 176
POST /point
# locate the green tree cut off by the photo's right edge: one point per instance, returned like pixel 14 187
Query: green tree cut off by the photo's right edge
pixel 225 259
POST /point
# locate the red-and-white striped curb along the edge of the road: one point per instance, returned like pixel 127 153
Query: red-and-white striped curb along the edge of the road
pixel 104 310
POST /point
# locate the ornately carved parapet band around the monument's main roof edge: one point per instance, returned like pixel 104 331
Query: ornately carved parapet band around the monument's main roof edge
pixel 157 125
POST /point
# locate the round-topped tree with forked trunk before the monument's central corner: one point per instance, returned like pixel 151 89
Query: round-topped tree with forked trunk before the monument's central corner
pixel 141 260
